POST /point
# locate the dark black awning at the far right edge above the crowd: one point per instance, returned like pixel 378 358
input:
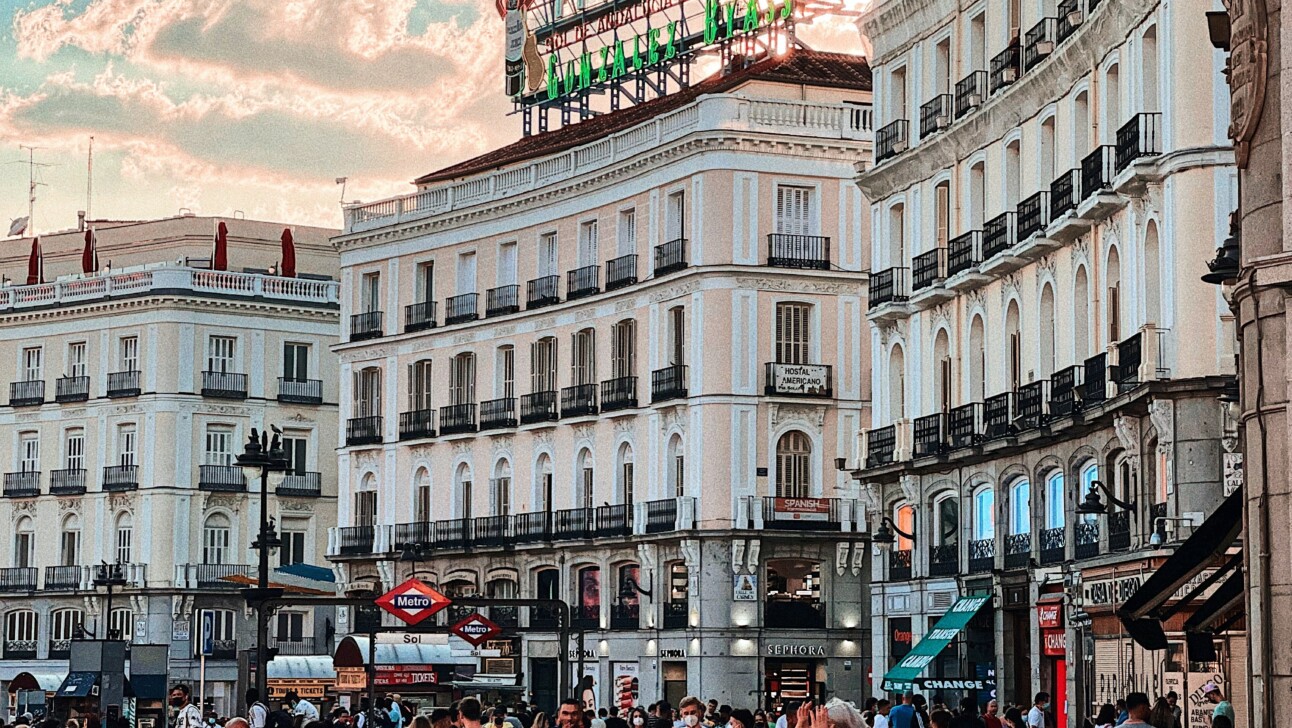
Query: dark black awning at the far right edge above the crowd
pixel 1143 614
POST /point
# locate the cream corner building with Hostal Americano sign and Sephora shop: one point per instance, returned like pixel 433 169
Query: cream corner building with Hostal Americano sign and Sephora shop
pixel 616 365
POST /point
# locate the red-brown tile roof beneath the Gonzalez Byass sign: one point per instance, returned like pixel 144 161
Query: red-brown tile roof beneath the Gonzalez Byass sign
pixel 799 67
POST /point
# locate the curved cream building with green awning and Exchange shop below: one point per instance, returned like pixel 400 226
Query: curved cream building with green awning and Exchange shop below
pixel 1048 180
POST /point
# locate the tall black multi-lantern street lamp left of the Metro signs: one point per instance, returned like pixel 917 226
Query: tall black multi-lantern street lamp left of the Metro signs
pixel 266 460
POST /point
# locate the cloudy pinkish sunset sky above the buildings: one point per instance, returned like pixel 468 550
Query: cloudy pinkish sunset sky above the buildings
pixel 254 107
